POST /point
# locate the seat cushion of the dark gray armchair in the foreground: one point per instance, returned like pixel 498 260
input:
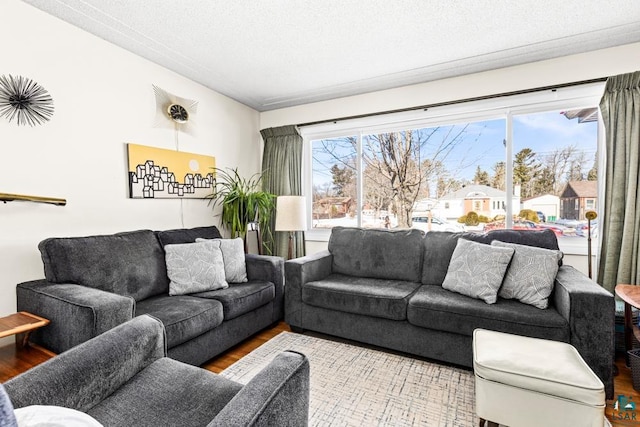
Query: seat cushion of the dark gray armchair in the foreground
pixel 167 393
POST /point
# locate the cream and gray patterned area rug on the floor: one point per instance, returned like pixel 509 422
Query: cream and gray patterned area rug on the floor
pixel 356 386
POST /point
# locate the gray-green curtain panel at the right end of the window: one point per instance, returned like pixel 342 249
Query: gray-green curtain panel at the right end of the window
pixel 620 228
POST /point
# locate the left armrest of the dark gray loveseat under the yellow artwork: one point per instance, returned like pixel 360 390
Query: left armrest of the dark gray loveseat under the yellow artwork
pixel 77 313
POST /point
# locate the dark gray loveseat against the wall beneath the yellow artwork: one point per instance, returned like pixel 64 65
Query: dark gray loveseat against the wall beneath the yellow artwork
pixel 98 282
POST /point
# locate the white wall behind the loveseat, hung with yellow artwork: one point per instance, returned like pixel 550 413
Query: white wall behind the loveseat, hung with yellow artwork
pixel 103 99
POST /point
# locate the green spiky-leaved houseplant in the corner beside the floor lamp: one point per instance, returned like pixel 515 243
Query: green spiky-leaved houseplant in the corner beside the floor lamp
pixel 242 200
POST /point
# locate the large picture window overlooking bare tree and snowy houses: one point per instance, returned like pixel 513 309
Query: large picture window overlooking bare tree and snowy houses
pixel 532 165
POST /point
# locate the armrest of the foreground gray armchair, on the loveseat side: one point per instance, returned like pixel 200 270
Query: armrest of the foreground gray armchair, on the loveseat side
pixel 85 375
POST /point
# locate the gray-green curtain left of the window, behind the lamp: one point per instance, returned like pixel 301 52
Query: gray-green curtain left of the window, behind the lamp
pixel 282 167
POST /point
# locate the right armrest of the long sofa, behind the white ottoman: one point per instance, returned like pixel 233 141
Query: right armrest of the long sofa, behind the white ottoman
pixel 590 311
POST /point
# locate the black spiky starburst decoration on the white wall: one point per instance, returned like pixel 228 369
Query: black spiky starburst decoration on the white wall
pixel 24 100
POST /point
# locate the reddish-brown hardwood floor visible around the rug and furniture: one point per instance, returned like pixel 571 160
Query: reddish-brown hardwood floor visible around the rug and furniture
pixel 14 361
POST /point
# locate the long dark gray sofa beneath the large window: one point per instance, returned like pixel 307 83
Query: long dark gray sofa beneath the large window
pixel 384 287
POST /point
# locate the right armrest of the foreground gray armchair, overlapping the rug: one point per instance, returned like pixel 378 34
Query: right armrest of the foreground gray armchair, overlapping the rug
pixel 277 396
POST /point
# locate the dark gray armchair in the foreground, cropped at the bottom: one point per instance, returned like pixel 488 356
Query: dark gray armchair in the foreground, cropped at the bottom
pixel 122 378
